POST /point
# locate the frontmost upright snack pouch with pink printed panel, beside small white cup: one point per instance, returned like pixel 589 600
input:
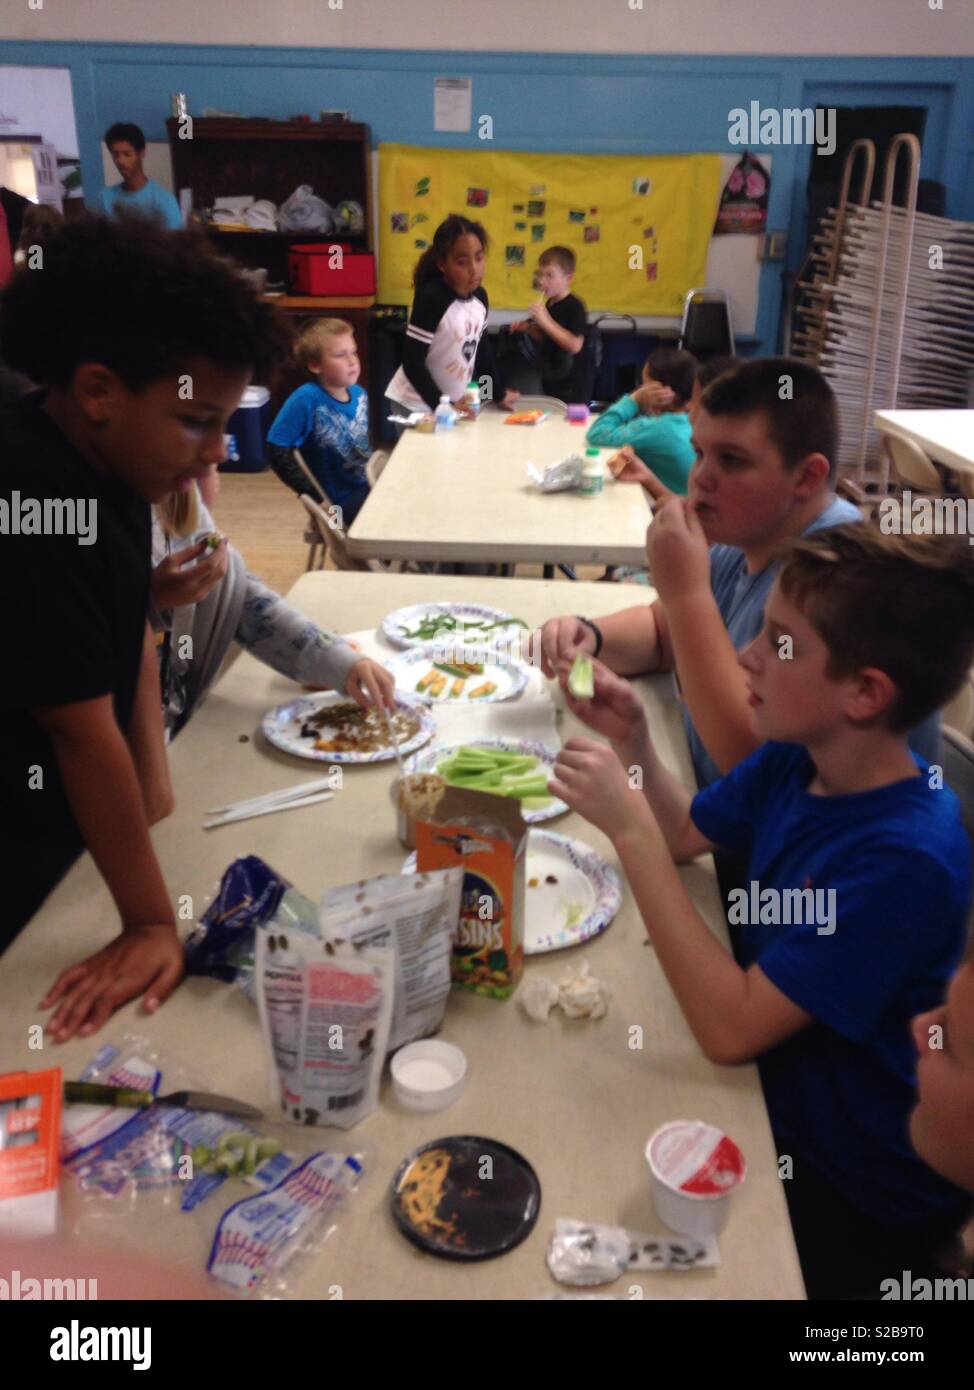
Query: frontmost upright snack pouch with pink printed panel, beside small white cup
pixel 326 1021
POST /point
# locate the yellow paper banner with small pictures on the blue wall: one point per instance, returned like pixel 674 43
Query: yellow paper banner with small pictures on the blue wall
pixel 640 226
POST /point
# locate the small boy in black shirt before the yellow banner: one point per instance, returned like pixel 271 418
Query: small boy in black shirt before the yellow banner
pixel 555 333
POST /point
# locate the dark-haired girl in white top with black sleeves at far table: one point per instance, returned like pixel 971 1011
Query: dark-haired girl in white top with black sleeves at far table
pixel 447 343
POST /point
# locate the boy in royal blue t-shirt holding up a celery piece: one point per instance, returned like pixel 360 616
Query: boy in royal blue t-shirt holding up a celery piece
pixel 859 882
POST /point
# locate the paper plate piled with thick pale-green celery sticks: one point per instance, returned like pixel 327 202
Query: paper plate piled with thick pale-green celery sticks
pixel 505 767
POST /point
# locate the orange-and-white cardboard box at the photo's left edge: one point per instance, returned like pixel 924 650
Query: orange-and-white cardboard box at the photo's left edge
pixel 30 1143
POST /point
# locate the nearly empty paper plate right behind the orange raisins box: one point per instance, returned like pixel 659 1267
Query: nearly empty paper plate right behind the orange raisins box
pixel 577 907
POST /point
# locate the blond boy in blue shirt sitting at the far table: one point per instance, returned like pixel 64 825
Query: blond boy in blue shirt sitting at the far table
pixel 327 420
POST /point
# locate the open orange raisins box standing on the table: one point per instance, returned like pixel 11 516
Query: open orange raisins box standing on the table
pixel 487 837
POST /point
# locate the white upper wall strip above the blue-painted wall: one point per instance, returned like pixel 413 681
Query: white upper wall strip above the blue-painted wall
pixel 723 27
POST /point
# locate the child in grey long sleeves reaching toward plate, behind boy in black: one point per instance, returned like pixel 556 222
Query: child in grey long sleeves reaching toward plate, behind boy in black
pixel 216 601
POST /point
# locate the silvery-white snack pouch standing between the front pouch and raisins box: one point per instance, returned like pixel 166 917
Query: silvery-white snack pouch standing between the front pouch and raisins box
pixel 413 915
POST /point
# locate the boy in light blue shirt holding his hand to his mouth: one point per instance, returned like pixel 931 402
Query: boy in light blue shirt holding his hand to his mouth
pixel 766 443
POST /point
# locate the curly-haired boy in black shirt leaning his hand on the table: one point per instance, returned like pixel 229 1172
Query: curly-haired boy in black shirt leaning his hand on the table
pixel 142 343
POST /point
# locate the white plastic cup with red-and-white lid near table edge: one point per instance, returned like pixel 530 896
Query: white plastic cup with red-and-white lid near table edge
pixel 694 1170
